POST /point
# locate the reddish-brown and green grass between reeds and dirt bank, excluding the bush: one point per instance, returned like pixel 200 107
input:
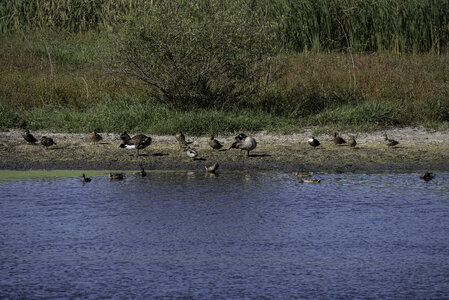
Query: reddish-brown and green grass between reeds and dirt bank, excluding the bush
pixel 56 81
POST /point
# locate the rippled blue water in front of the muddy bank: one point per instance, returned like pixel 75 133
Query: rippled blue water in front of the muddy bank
pixel 235 236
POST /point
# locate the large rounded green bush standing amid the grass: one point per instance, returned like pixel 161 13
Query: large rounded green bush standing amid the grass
pixel 195 55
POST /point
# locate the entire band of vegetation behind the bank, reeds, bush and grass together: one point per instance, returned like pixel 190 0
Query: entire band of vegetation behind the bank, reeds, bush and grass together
pixel 222 66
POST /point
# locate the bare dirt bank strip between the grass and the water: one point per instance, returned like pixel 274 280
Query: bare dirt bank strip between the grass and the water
pixel 418 150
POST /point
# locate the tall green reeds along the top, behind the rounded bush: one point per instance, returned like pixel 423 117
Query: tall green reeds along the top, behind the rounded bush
pixel 396 26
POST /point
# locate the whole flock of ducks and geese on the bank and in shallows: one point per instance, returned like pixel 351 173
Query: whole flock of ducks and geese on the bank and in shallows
pixel 241 141
